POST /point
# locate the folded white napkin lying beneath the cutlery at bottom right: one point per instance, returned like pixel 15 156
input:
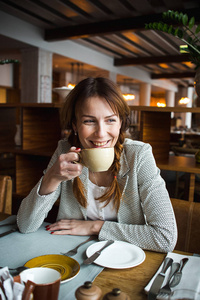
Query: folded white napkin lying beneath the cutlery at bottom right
pixel 190 274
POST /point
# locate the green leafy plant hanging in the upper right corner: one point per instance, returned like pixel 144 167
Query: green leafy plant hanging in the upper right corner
pixel 181 26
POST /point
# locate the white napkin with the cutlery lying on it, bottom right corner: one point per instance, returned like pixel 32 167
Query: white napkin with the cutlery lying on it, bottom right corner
pixel 178 276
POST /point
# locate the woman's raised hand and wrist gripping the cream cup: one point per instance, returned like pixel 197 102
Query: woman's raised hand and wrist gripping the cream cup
pixel 63 169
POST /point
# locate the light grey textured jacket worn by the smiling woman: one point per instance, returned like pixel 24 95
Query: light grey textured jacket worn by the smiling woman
pixel 145 216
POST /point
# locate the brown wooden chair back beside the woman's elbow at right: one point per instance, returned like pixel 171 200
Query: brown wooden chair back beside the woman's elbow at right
pixel 188 222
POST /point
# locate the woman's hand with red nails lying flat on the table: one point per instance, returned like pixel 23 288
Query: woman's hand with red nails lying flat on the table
pixel 75 227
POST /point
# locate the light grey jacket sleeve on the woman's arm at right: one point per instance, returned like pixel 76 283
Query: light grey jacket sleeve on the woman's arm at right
pixel 158 230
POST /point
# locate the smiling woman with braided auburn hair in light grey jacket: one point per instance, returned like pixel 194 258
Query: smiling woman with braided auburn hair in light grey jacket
pixel 129 202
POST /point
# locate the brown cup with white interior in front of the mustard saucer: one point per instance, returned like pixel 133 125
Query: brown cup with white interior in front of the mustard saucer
pixel 40 283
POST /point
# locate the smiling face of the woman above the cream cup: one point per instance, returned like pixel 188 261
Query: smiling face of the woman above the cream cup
pixel 97 124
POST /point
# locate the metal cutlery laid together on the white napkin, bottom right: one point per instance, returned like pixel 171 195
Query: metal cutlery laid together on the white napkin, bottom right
pixel 173 279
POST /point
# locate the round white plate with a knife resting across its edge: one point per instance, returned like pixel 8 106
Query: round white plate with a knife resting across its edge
pixel 119 255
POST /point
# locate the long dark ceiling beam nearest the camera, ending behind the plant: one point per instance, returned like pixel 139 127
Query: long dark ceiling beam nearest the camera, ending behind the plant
pixel 106 27
